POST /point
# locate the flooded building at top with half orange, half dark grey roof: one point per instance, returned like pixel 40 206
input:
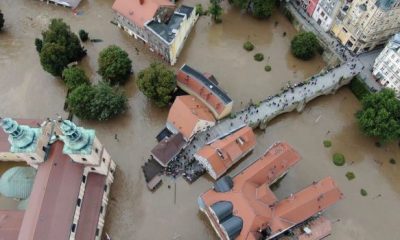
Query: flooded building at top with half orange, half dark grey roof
pixel 157 23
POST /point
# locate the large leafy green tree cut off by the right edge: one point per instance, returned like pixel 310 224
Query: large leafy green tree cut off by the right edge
pixel 380 116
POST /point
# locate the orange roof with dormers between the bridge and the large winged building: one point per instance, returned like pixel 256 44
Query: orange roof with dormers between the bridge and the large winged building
pixel 223 153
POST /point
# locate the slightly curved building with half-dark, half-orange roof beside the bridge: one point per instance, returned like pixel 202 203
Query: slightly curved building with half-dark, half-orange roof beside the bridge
pixel 206 89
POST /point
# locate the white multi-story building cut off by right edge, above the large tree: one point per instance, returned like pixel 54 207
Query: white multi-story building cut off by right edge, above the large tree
pixel 387 65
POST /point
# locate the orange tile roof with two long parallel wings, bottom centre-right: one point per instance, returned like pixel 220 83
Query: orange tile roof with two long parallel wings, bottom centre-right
pixel 257 206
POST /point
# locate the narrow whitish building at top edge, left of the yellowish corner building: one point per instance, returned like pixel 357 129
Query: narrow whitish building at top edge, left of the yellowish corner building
pixel 325 12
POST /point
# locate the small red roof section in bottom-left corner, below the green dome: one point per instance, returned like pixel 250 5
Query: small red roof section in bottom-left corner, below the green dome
pixel 10 224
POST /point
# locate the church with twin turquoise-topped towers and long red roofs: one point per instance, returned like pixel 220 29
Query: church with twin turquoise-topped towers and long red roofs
pixel 70 192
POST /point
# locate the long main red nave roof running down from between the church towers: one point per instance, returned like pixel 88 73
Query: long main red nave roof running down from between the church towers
pixel 53 199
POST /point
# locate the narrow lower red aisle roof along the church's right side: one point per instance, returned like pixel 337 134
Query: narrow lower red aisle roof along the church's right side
pixel 90 208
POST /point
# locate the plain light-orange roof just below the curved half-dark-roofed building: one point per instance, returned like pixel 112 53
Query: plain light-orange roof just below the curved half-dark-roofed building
pixel 186 112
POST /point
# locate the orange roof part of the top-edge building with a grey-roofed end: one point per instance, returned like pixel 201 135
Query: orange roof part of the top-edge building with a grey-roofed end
pixel 140 11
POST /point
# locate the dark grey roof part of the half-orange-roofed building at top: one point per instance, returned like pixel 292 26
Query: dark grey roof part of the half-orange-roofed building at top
pixel 166 30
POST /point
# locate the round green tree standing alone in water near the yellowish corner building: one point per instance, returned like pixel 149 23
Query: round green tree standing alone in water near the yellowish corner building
pixel 304 45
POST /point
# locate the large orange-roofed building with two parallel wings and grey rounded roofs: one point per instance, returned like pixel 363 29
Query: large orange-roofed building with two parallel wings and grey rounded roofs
pixel 245 208
